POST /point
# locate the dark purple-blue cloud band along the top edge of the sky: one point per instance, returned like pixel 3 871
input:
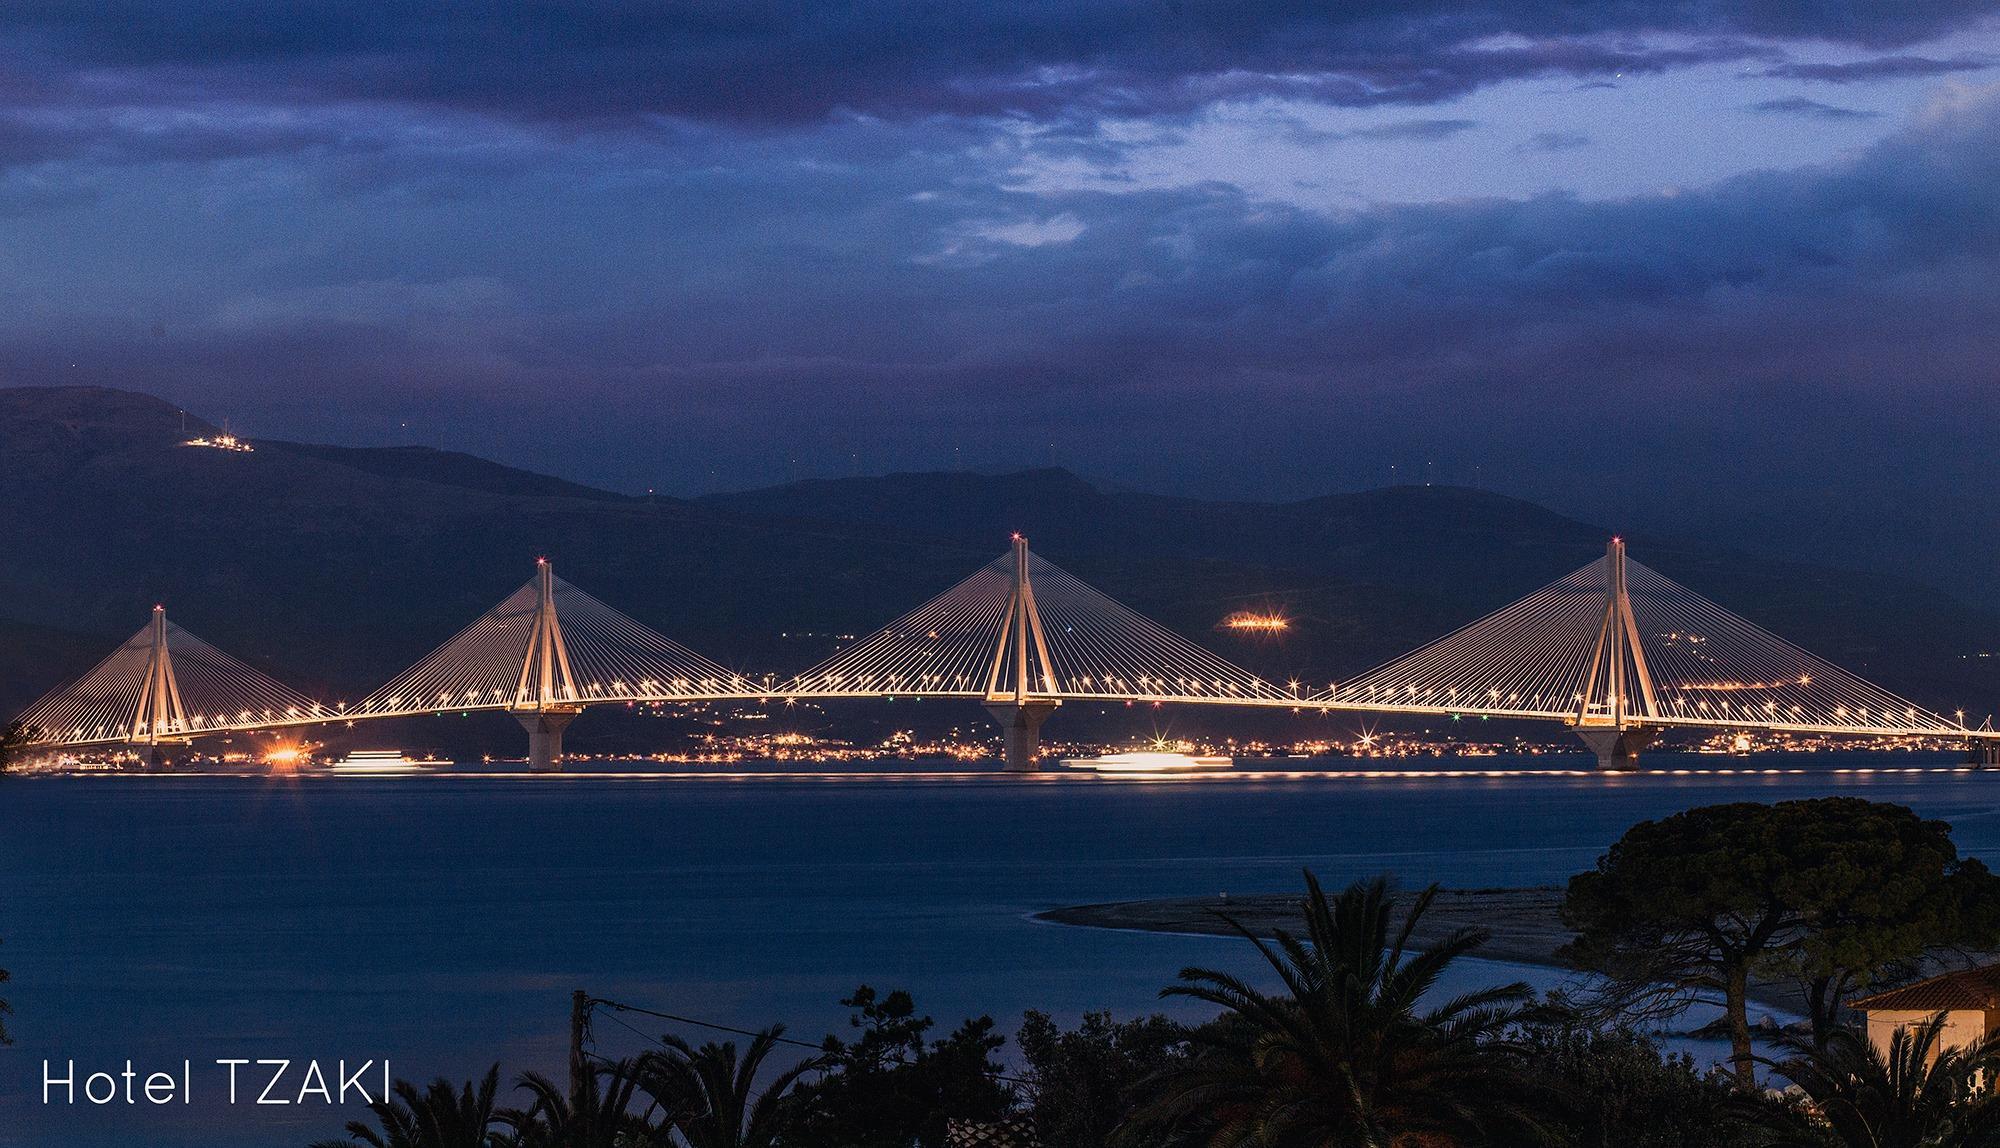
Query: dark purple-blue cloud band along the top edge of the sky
pixel 785 63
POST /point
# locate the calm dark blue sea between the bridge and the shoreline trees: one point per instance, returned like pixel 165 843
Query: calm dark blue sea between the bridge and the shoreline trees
pixel 443 921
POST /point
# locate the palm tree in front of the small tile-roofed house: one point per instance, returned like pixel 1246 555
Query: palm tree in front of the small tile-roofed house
pixel 1911 1095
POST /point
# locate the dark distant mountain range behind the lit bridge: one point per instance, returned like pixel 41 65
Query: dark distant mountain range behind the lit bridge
pixel 335 567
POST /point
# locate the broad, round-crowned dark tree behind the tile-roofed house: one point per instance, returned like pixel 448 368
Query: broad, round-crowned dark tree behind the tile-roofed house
pixel 1825 891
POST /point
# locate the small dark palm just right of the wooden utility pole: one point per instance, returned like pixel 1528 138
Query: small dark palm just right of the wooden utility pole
pixel 711 1091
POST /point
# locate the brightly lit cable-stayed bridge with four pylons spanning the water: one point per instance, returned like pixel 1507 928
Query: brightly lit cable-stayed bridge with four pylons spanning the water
pixel 1613 651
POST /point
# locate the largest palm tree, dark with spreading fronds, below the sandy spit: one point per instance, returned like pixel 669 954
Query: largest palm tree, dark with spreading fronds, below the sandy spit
pixel 1347 1055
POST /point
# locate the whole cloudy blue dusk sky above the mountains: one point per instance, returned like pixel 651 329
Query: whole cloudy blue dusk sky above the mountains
pixel 1701 265
